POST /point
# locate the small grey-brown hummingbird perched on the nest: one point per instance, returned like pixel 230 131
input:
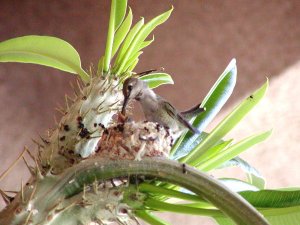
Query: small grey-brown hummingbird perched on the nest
pixel 157 109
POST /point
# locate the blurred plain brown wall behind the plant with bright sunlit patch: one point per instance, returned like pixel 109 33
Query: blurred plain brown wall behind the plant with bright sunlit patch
pixel 194 46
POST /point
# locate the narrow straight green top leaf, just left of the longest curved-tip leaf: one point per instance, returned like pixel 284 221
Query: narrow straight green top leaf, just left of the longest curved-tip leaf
pixel 132 33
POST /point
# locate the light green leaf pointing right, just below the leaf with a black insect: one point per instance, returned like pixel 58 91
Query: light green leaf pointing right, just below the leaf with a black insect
pixel 231 152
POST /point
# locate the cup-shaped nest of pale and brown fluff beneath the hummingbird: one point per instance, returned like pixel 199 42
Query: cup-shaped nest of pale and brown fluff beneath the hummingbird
pixel 135 141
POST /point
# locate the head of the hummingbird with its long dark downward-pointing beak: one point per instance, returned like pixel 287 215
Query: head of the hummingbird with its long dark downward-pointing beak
pixel 132 89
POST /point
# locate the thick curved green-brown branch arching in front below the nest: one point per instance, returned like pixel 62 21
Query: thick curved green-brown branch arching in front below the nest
pixel 72 181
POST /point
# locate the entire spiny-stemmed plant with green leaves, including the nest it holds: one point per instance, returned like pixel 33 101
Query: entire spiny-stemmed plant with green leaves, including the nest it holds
pixel 97 168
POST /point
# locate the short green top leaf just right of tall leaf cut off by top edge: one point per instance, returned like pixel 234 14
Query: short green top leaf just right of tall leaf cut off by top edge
pixel 121 33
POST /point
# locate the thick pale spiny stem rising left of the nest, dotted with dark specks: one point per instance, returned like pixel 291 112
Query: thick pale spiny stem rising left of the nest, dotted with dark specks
pixel 82 124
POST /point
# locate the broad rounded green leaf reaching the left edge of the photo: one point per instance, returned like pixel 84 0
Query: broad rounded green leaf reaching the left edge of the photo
pixel 43 50
